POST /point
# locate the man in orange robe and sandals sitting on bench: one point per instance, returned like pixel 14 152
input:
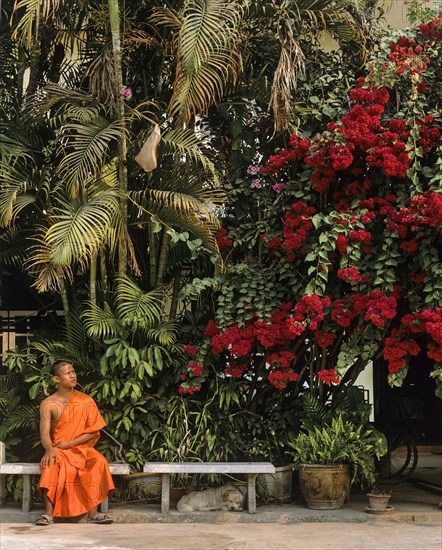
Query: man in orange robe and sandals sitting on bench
pixel 75 478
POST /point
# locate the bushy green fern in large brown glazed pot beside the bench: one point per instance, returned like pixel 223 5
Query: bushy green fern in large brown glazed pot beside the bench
pixel 331 456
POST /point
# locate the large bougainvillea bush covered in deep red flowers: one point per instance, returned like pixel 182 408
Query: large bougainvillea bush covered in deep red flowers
pixel 339 263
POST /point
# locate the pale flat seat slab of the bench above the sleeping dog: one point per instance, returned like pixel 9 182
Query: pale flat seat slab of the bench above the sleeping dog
pixel 209 467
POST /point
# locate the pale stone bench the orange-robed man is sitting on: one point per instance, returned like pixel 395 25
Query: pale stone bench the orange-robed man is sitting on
pixel 28 469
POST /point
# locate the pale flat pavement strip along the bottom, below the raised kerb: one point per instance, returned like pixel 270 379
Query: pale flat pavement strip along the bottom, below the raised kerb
pixel 304 536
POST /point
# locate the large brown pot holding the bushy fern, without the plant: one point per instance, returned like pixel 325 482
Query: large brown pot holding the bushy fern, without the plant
pixel 324 487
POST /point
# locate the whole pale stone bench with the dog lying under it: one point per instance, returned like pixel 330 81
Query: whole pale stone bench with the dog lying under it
pixel 250 469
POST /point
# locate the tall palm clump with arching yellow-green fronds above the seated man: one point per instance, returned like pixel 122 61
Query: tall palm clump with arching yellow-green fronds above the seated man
pixel 78 173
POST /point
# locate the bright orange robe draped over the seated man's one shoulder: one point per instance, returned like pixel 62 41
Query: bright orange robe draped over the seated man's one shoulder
pixel 81 479
